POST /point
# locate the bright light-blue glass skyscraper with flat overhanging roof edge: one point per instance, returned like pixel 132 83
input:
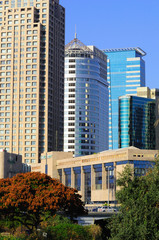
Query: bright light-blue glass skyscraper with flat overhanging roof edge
pixel 126 72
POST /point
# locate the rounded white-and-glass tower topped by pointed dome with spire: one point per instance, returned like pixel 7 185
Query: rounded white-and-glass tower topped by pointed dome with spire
pixel 85 99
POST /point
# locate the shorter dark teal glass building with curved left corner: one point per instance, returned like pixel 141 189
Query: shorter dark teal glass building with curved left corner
pixel 136 122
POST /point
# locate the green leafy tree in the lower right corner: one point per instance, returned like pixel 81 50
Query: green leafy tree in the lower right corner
pixel 139 211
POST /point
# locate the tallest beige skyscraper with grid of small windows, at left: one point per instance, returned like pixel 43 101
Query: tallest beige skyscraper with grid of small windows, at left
pixel 31 77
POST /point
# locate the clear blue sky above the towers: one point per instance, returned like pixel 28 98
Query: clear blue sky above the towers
pixel 117 24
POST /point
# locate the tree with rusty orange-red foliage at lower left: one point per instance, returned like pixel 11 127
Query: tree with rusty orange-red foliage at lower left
pixel 27 197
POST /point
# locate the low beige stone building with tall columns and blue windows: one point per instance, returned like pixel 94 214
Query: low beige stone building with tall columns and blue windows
pixel 94 176
